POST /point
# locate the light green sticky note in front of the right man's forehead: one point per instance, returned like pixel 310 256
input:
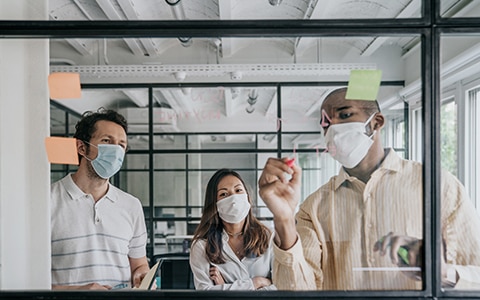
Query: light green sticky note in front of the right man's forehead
pixel 363 85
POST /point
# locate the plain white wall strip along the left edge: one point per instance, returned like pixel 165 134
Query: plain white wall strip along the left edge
pixel 24 169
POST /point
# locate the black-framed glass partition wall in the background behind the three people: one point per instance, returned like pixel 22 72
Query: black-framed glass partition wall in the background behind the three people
pixel 208 131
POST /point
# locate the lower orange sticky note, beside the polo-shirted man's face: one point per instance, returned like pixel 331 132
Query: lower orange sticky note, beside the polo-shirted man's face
pixel 61 150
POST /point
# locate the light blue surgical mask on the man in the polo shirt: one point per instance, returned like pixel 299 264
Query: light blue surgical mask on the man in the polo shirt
pixel 108 161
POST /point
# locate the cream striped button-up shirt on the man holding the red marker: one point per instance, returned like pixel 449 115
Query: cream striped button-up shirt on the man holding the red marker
pixel 339 224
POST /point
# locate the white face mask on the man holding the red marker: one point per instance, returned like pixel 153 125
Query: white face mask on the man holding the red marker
pixel 348 143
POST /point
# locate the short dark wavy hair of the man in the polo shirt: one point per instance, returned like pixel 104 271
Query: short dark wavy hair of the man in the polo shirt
pixel 86 127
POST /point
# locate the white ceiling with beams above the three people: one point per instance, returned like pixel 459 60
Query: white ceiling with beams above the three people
pixel 229 60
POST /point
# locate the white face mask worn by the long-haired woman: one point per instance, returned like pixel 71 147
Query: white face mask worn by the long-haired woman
pixel 234 208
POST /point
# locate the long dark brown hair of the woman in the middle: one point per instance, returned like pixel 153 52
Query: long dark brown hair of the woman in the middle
pixel 256 236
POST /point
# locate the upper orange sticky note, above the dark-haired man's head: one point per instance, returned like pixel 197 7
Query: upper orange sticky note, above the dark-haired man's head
pixel 64 85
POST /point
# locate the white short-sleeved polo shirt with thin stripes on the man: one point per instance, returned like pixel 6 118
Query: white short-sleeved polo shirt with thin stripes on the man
pixel 91 242
